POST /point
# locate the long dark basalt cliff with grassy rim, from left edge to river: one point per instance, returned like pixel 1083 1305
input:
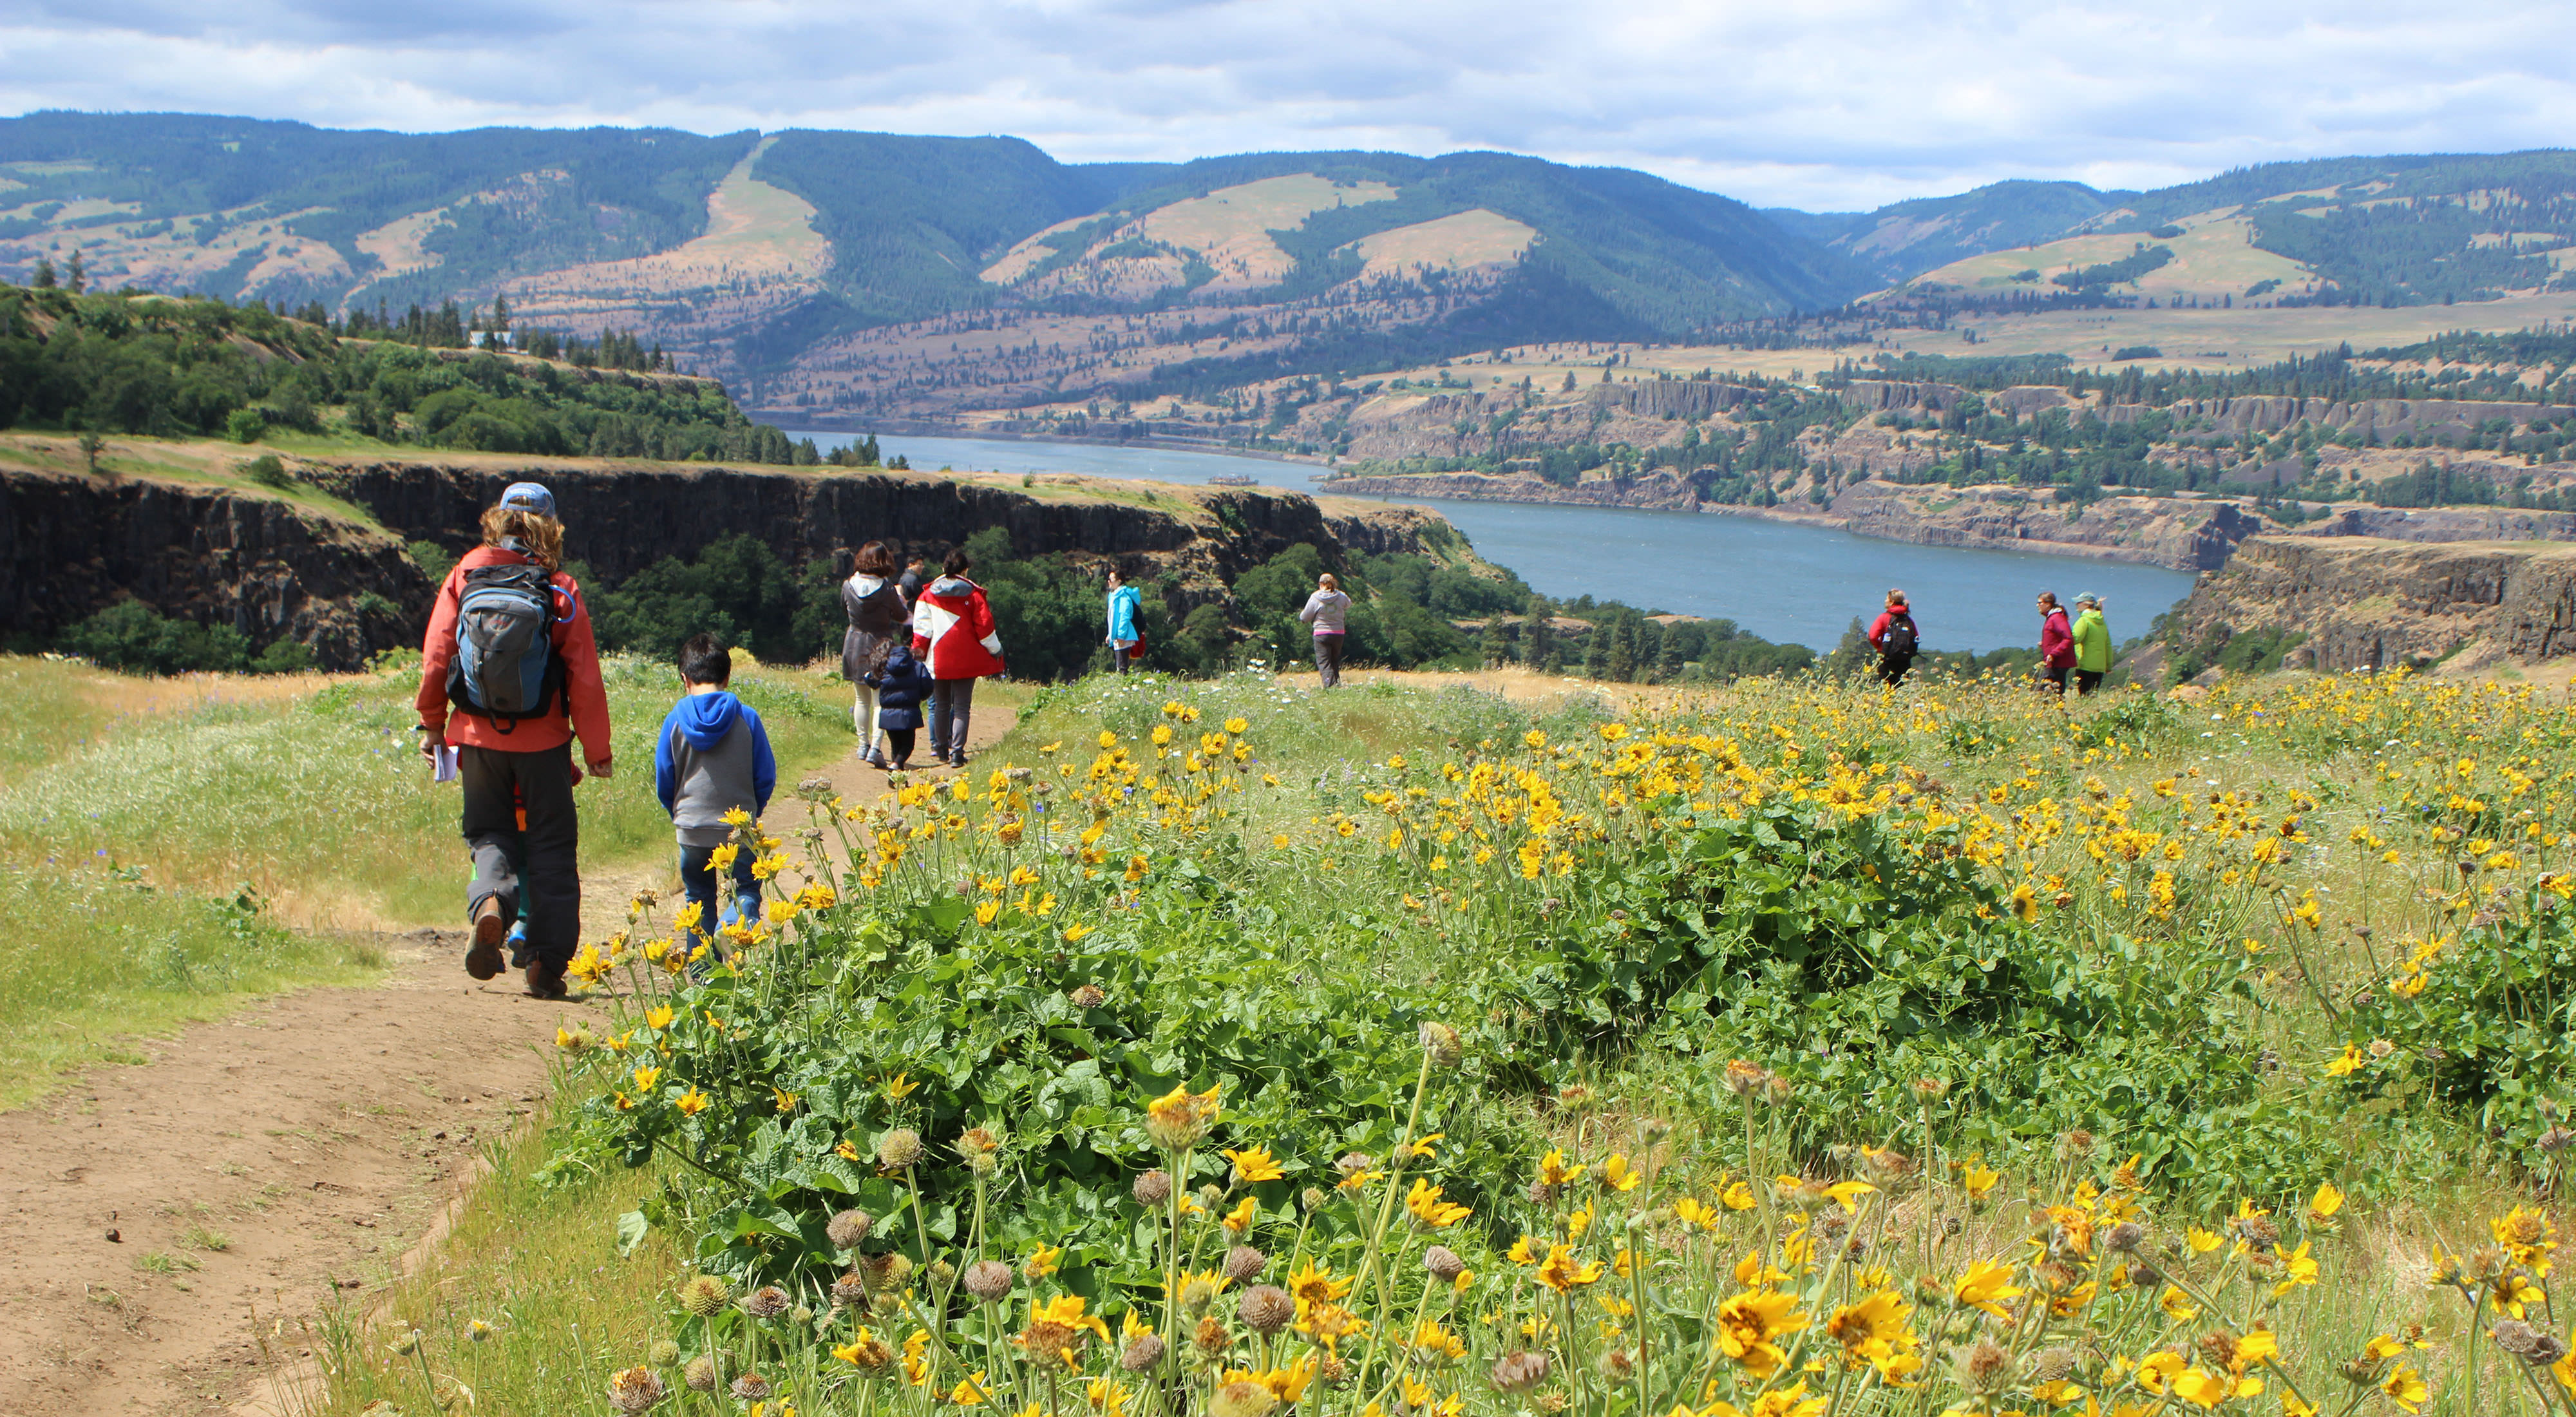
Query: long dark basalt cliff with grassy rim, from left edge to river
pixel 328 563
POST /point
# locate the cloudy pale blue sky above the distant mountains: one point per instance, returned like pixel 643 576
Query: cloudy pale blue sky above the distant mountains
pixel 1823 104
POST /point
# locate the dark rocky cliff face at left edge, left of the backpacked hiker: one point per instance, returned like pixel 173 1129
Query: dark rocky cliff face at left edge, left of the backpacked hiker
pixel 254 563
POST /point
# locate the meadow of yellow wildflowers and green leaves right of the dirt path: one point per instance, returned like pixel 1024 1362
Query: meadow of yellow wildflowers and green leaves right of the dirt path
pixel 1789 1050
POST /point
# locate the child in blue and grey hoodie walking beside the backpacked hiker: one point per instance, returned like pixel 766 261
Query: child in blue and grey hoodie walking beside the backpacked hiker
pixel 712 759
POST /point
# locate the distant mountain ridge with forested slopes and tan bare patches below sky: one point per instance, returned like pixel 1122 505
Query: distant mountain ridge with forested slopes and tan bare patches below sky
pixel 880 272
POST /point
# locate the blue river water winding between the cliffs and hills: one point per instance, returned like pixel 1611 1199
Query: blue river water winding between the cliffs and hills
pixel 1789 584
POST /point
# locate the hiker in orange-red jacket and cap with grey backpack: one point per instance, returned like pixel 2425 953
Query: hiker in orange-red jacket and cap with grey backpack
pixel 516 759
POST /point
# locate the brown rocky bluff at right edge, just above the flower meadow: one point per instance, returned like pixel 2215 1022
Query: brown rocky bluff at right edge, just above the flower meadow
pixel 2371 604
